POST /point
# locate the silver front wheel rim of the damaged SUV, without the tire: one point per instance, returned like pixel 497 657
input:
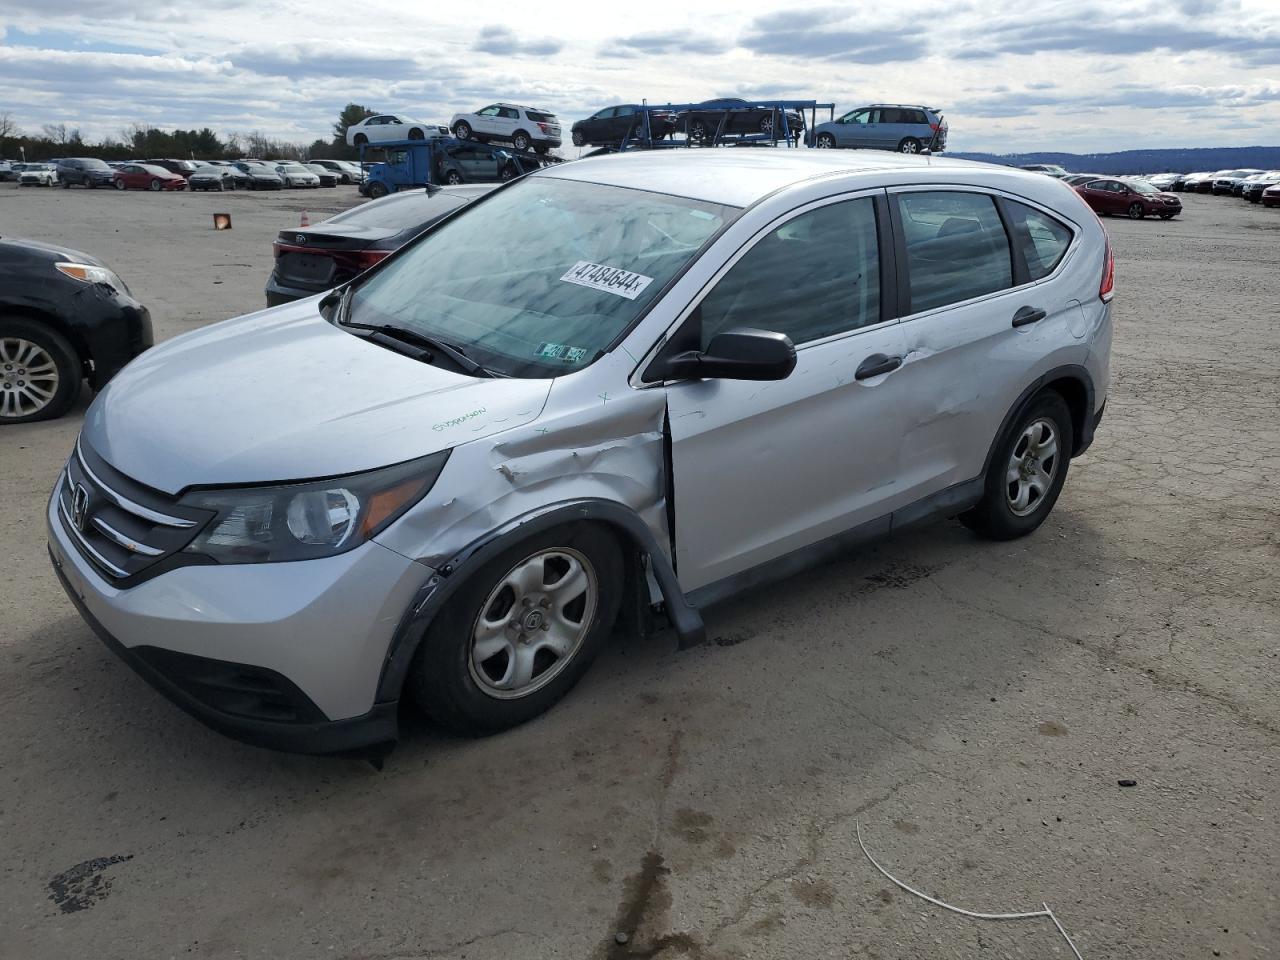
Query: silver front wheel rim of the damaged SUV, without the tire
pixel 533 624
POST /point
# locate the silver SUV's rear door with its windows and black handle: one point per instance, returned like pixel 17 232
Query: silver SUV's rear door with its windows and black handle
pixel 966 362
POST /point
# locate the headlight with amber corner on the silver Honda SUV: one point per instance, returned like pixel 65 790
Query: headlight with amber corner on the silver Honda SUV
pixel 309 520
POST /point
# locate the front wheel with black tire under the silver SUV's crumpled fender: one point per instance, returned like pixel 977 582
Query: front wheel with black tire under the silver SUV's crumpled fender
pixel 474 697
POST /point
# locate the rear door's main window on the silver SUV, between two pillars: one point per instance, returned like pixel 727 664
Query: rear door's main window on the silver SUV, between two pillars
pixel 957 248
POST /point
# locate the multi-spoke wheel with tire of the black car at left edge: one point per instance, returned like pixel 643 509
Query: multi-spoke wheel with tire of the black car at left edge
pixel 44 397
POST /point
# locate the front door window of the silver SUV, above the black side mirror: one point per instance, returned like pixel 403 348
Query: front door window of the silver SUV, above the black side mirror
pixel 813 277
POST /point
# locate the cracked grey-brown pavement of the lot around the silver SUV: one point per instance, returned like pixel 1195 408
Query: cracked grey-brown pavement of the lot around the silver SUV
pixel 973 705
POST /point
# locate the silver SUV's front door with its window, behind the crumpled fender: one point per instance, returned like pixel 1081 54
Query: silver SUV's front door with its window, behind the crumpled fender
pixel 765 469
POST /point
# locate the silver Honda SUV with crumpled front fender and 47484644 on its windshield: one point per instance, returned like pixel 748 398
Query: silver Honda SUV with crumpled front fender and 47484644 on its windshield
pixel 612 388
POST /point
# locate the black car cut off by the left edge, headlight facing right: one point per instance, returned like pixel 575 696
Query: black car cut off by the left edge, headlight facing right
pixel 65 318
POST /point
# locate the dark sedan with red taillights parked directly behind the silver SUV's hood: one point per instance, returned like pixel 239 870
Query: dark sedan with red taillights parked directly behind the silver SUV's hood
pixel 316 259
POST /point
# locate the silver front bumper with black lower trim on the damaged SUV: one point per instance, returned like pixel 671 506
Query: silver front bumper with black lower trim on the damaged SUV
pixel 286 656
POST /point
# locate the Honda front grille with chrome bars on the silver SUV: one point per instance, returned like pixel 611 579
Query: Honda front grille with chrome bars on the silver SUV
pixel 125 529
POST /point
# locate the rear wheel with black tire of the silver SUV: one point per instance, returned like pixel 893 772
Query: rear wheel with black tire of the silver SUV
pixel 998 515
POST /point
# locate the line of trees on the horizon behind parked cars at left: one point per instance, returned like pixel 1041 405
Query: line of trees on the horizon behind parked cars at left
pixel 143 141
